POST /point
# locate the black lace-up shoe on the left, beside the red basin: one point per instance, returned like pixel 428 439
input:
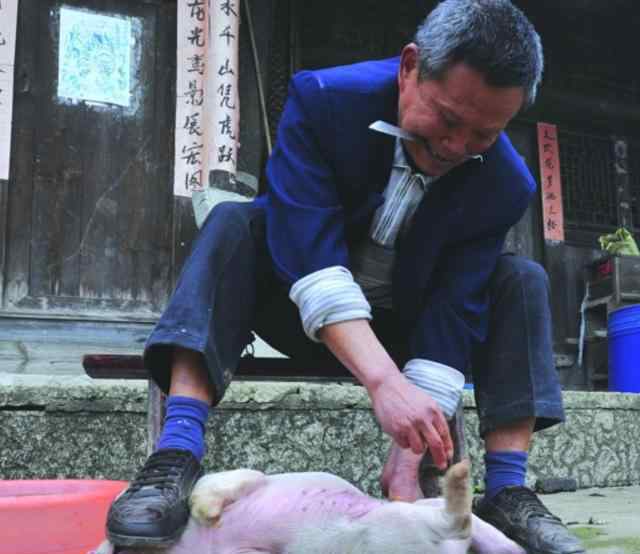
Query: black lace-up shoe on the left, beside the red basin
pixel 154 509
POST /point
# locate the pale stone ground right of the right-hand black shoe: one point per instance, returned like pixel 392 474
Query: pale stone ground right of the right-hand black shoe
pixel 606 519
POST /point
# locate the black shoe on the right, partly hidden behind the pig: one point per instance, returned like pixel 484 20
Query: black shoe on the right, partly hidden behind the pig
pixel 520 515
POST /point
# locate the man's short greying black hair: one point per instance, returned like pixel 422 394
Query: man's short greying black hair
pixel 492 36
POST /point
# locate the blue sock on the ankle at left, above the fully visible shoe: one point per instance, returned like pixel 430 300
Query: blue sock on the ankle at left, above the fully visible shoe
pixel 184 425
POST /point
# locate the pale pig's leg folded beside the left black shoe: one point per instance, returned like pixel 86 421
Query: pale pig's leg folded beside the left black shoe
pixel 216 490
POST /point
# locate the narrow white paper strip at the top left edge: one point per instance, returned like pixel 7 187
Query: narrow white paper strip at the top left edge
pixel 8 19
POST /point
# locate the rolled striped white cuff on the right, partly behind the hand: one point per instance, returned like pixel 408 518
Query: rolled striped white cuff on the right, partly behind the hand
pixel 442 382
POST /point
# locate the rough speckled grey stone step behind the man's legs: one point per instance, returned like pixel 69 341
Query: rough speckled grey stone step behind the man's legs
pixel 72 426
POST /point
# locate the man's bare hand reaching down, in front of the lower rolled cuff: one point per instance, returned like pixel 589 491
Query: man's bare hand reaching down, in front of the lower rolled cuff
pixel 412 418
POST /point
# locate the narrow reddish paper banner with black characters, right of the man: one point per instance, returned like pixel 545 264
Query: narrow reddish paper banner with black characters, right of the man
pixel 551 185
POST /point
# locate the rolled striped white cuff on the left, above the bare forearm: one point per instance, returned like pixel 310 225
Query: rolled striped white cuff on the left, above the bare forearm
pixel 328 296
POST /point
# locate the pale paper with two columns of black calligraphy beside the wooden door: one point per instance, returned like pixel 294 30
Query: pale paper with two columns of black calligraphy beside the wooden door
pixel 207 103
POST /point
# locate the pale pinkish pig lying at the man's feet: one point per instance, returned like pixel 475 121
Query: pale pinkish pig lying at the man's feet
pixel 247 512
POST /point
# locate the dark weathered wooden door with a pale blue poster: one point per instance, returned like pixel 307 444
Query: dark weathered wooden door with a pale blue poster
pixel 91 229
